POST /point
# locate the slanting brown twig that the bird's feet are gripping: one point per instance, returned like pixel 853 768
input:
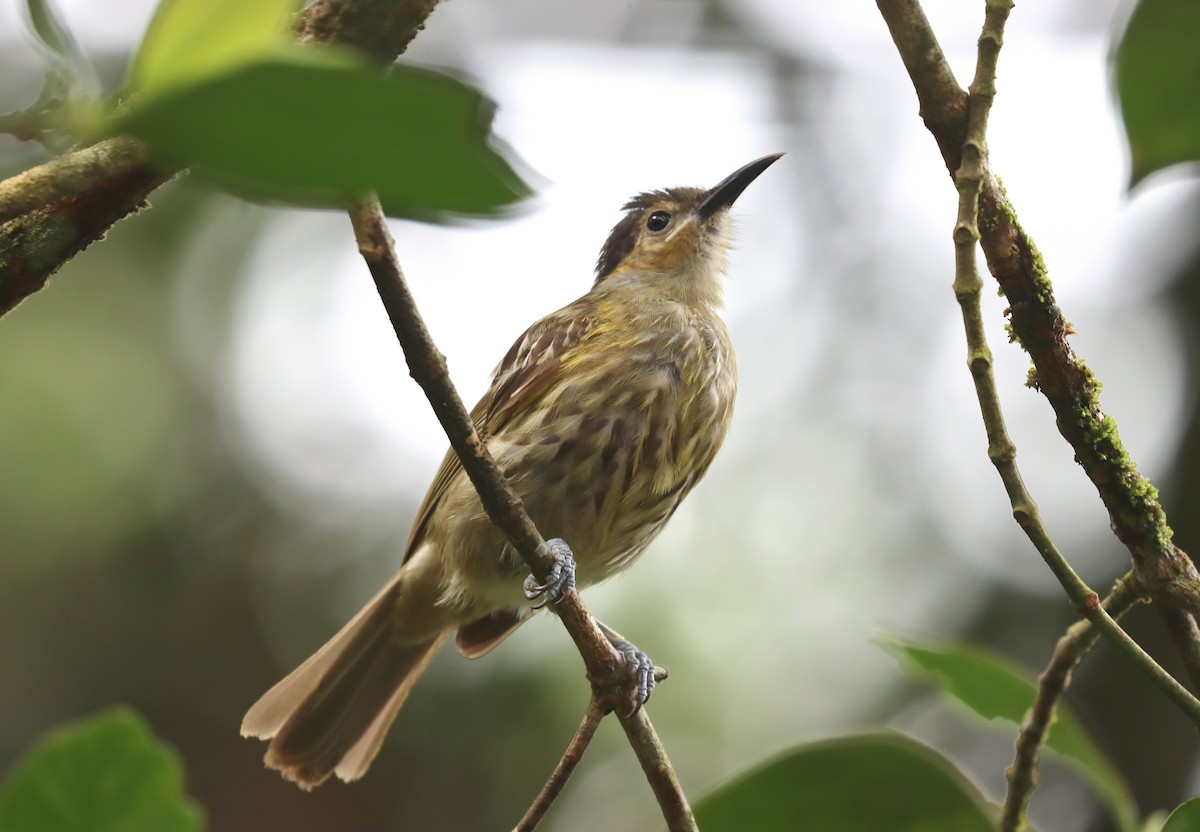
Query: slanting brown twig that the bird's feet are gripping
pixel 428 368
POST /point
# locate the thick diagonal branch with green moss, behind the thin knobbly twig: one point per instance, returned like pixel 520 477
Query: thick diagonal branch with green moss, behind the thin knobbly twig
pixel 1163 570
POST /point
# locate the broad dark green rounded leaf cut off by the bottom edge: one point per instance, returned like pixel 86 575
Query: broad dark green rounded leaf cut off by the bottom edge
pixel 851 785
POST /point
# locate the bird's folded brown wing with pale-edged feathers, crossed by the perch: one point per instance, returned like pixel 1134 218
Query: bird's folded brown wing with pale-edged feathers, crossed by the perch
pixel 529 369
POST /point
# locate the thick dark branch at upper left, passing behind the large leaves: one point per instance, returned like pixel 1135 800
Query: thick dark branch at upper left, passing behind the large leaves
pixel 39 243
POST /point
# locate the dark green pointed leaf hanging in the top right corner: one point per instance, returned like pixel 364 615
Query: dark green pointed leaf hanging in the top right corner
pixel 1159 85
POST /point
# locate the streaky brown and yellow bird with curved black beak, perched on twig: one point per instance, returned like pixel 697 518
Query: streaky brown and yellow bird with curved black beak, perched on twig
pixel 604 416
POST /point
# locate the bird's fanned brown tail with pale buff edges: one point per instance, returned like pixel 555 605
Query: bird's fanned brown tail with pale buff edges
pixel 332 714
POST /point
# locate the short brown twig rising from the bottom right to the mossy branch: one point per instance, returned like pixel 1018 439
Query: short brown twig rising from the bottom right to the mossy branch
pixel 1071 650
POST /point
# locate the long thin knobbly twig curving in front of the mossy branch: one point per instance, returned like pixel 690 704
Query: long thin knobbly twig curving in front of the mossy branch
pixel 968 289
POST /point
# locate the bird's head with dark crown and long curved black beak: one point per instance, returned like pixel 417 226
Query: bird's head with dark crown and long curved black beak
pixel 674 243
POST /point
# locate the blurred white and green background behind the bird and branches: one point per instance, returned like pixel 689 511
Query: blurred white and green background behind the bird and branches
pixel 211 451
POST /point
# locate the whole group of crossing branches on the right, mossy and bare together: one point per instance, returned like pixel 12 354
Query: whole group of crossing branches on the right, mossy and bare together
pixel 958 122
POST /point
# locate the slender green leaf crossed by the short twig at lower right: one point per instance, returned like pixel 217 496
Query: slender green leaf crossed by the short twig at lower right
pixel 997 689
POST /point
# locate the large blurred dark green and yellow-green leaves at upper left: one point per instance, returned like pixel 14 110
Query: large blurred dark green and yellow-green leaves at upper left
pixel 221 88
